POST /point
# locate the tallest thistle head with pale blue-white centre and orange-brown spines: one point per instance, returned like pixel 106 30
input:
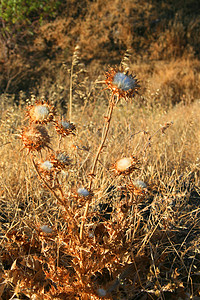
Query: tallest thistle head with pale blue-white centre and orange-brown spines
pixel 121 84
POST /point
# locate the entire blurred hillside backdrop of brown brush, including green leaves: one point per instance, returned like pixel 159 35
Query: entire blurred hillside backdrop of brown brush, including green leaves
pixel 38 39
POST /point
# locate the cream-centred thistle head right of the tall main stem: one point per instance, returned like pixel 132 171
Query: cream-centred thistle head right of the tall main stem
pixel 125 165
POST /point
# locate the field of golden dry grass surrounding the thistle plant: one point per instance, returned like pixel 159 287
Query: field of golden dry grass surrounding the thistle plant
pixel 166 222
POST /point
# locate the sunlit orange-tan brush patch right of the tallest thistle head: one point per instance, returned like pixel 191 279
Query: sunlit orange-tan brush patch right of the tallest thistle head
pixel 168 83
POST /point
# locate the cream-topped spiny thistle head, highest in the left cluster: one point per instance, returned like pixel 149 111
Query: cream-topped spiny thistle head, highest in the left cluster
pixel 40 113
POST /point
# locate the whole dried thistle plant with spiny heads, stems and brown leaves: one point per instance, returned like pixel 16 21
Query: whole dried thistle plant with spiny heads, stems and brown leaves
pixel 93 255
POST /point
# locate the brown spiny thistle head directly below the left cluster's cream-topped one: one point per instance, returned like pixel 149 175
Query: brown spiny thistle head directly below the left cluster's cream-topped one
pixel 35 137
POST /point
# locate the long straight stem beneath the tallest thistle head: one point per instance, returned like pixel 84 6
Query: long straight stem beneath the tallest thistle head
pixel 103 139
